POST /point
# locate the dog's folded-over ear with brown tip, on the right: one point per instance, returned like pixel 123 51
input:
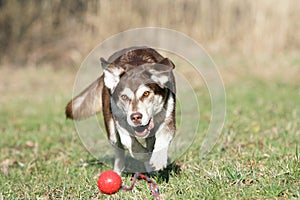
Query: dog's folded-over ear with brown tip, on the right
pixel 161 72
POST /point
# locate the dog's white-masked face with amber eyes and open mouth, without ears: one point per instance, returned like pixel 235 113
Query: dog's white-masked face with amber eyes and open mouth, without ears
pixel 139 103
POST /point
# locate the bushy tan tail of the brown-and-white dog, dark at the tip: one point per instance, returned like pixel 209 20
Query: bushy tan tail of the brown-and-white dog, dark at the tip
pixel 87 103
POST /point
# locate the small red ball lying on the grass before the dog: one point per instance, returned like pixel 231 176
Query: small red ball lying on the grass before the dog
pixel 109 182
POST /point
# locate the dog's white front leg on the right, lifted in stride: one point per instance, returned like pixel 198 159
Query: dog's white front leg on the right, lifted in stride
pixel 159 157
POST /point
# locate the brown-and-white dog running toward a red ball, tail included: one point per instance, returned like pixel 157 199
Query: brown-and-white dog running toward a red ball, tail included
pixel 136 93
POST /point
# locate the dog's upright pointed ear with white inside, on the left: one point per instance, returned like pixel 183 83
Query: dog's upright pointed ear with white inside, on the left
pixel 112 74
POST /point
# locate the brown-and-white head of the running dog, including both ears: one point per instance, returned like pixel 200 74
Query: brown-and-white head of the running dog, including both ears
pixel 139 92
